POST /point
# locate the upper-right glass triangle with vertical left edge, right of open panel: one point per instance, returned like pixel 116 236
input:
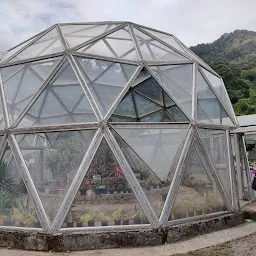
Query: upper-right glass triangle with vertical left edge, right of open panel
pixel 209 105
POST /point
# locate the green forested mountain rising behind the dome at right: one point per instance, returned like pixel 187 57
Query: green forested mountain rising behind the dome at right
pixel 233 56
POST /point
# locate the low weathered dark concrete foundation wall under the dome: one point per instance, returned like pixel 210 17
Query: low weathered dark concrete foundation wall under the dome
pixel 100 240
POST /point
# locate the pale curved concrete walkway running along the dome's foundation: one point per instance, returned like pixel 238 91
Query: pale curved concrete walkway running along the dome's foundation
pixel 164 250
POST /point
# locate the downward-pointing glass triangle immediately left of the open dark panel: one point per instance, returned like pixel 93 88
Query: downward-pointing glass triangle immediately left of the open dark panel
pixel 106 80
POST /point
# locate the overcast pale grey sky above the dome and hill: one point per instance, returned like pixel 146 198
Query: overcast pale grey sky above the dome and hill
pixel 192 21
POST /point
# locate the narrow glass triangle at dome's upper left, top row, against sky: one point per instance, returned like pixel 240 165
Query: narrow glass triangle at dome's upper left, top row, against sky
pixel 48 44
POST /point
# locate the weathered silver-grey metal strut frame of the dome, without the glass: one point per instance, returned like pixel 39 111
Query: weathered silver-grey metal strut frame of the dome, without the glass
pixel 103 127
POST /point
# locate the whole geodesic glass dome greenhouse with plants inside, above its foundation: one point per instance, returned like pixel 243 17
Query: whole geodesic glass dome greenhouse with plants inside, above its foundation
pixel 111 125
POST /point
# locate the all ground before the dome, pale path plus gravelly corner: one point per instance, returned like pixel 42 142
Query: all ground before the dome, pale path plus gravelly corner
pixel 246 234
